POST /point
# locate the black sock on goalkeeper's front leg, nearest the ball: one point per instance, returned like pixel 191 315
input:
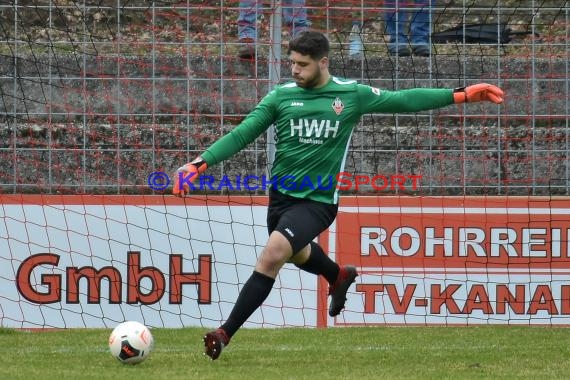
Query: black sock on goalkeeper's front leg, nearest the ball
pixel 254 292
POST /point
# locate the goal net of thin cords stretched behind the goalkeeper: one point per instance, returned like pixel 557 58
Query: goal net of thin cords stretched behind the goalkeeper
pixel 452 216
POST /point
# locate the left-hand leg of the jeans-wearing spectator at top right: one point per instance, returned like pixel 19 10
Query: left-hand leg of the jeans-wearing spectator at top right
pixel 396 24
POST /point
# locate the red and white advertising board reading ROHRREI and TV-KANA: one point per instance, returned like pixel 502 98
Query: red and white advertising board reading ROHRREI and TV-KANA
pixel 459 260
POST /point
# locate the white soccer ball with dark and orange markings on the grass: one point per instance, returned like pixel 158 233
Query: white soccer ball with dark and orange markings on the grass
pixel 131 342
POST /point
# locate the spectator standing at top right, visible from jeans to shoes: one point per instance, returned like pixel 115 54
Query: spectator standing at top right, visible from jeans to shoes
pixel 408 27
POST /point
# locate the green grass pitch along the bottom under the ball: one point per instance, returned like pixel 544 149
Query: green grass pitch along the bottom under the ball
pixel 488 352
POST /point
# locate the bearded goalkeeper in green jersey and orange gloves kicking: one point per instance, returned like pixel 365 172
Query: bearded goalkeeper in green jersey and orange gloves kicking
pixel 314 116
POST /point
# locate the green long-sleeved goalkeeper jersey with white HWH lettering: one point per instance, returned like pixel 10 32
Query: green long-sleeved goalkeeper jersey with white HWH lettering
pixel 313 127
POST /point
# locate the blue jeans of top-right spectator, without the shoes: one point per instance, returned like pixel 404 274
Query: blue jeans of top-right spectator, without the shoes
pixel 418 21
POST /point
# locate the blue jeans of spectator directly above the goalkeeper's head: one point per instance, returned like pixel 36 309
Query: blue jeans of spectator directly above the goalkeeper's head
pixel 294 15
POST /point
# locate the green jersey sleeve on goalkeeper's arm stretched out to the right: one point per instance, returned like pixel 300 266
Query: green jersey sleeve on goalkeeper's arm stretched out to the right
pixel 374 99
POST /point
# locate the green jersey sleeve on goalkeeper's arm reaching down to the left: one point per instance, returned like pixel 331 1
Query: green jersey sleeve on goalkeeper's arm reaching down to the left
pixel 255 123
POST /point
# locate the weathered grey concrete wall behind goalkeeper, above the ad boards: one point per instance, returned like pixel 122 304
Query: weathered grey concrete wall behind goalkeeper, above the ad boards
pixel 89 113
